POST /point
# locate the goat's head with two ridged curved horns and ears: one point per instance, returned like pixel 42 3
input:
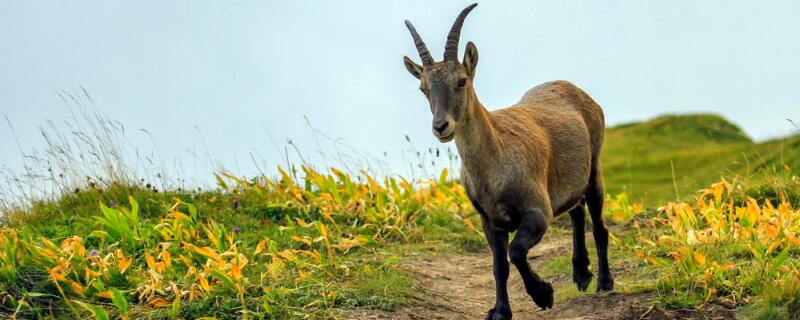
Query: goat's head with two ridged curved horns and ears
pixel 447 84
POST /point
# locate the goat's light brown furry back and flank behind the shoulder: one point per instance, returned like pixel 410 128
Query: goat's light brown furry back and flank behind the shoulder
pixel 557 131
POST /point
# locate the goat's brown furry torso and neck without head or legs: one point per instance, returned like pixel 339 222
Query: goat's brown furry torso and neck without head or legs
pixel 544 147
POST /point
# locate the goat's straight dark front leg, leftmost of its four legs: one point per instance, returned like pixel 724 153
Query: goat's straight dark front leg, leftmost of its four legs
pixel 498 242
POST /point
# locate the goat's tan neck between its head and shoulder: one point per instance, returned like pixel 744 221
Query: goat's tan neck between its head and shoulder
pixel 476 138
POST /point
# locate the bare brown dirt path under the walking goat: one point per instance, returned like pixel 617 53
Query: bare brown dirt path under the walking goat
pixel 462 287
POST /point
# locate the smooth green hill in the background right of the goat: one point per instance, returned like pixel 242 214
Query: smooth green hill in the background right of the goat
pixel 639 158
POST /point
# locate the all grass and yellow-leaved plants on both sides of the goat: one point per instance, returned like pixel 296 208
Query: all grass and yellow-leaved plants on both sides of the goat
pixel 318 244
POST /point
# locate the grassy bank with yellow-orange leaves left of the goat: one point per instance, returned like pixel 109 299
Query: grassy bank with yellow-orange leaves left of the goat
pixel 304 245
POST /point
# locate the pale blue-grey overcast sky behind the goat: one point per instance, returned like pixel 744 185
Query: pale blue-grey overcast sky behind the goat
pixel 244 71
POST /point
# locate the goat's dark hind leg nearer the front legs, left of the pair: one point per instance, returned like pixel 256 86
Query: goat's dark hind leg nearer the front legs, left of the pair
pixel 581 275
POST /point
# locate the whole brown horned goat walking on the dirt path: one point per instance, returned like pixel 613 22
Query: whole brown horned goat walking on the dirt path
pixel 521 166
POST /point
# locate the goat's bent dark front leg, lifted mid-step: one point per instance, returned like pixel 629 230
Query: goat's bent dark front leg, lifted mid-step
pixel 531 230
